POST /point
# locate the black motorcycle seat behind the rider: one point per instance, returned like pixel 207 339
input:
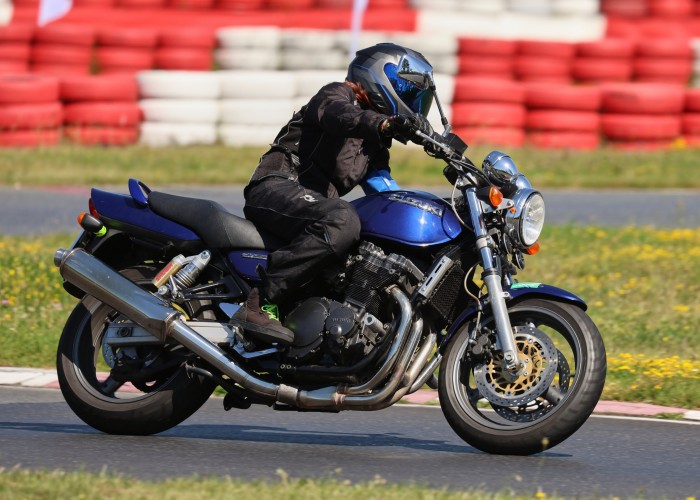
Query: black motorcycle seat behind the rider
pixel 217 227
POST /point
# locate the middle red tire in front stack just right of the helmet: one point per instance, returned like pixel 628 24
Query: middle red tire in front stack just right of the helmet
pixel 480 114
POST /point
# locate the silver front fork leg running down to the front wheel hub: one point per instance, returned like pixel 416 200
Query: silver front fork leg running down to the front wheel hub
pixel 492 280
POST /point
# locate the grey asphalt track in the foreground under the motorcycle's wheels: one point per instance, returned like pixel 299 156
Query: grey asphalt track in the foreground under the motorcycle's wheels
pixel 608 456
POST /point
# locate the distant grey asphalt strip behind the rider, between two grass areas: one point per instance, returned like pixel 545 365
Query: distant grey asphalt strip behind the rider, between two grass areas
pixel 54 209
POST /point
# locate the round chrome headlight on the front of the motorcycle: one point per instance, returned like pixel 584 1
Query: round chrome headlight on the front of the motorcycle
pixel 526 222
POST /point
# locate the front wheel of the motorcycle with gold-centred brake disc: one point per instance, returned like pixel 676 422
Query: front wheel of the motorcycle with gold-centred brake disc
pixel 555 392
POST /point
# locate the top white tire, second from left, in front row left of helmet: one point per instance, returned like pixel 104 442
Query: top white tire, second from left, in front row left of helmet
pixel 242 84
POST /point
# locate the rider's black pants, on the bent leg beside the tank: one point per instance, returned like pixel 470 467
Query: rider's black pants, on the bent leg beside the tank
pixel 319 230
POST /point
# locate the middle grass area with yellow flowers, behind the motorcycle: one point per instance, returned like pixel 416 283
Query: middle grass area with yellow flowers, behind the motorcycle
pixel 642 286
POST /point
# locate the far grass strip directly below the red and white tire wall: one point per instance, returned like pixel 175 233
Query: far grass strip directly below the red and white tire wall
pixel 86 166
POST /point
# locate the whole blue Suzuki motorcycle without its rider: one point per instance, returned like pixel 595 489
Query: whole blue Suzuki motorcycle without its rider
pixel 427 297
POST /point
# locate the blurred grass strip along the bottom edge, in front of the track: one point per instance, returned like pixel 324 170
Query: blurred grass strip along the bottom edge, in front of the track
pixel 21 484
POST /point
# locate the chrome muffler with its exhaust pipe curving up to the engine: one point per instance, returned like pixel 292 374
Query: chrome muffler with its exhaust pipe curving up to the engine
pixel 148 311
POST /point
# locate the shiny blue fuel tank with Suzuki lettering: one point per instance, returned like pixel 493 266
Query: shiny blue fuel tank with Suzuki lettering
pixel 413 218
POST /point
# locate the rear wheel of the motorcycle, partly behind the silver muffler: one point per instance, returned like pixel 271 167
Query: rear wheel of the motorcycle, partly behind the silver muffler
pixel 136 390
